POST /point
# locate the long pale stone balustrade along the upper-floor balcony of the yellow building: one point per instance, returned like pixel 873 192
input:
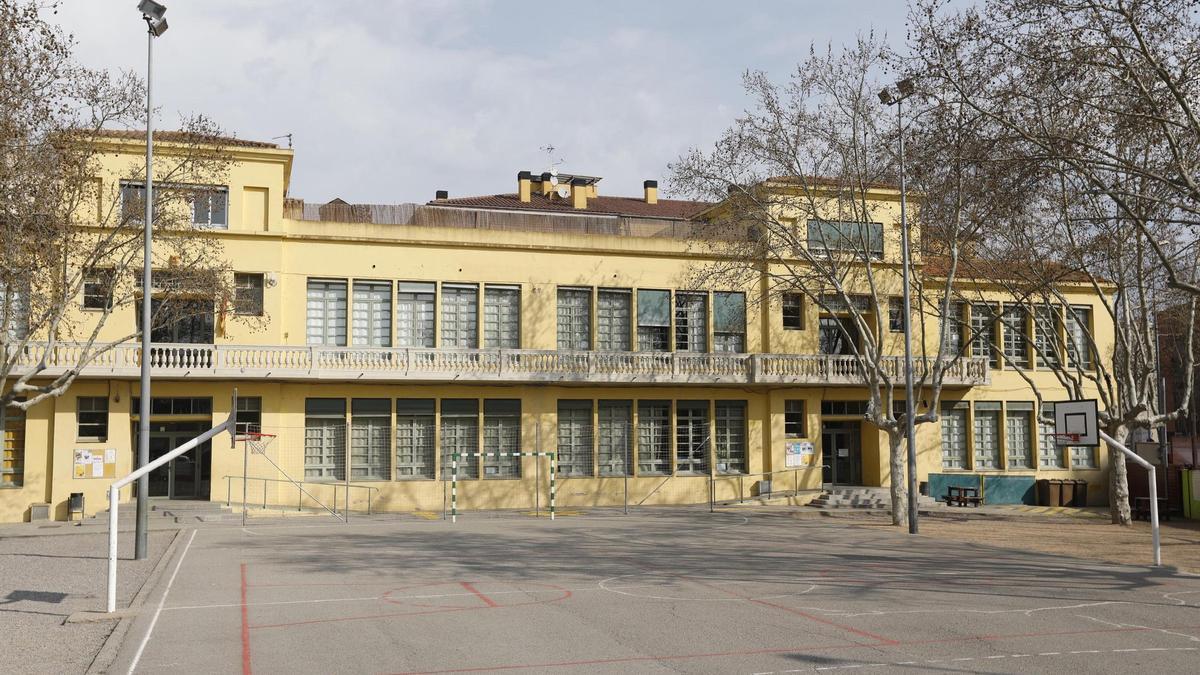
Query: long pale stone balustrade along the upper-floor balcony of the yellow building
pixel 459 365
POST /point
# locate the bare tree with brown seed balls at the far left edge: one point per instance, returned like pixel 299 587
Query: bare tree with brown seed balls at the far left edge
pixel 64 238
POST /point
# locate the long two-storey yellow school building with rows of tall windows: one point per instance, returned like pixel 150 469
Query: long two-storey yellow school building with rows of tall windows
pixel 371 344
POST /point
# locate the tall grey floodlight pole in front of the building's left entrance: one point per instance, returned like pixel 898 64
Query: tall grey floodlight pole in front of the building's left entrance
pixel 153 14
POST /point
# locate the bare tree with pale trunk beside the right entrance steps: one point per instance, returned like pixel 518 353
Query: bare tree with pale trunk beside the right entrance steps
pixel 807 181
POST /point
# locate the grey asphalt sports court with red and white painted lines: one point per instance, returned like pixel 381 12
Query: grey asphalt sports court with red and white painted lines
pixel 665 592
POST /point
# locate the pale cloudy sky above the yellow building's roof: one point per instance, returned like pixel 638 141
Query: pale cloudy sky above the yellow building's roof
pixel 389 101
